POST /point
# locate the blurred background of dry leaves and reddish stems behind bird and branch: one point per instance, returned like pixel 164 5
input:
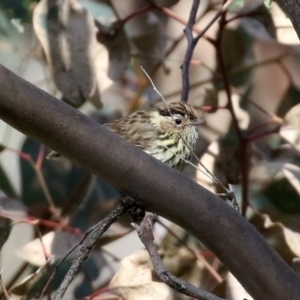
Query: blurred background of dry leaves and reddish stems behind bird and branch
pixel 245 83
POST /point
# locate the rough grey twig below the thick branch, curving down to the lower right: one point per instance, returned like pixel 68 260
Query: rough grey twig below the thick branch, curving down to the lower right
pixel 144 231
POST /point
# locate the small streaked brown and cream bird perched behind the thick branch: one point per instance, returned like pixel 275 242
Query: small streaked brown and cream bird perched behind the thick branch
pixel 168 133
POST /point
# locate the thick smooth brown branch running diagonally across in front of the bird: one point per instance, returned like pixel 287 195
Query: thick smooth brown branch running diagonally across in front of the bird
pixel 157 187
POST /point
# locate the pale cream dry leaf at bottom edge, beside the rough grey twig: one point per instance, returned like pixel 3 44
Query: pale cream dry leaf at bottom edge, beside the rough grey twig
pixel 133 281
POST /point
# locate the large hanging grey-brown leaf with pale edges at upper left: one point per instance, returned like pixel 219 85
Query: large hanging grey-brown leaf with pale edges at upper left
pixel 67 33
